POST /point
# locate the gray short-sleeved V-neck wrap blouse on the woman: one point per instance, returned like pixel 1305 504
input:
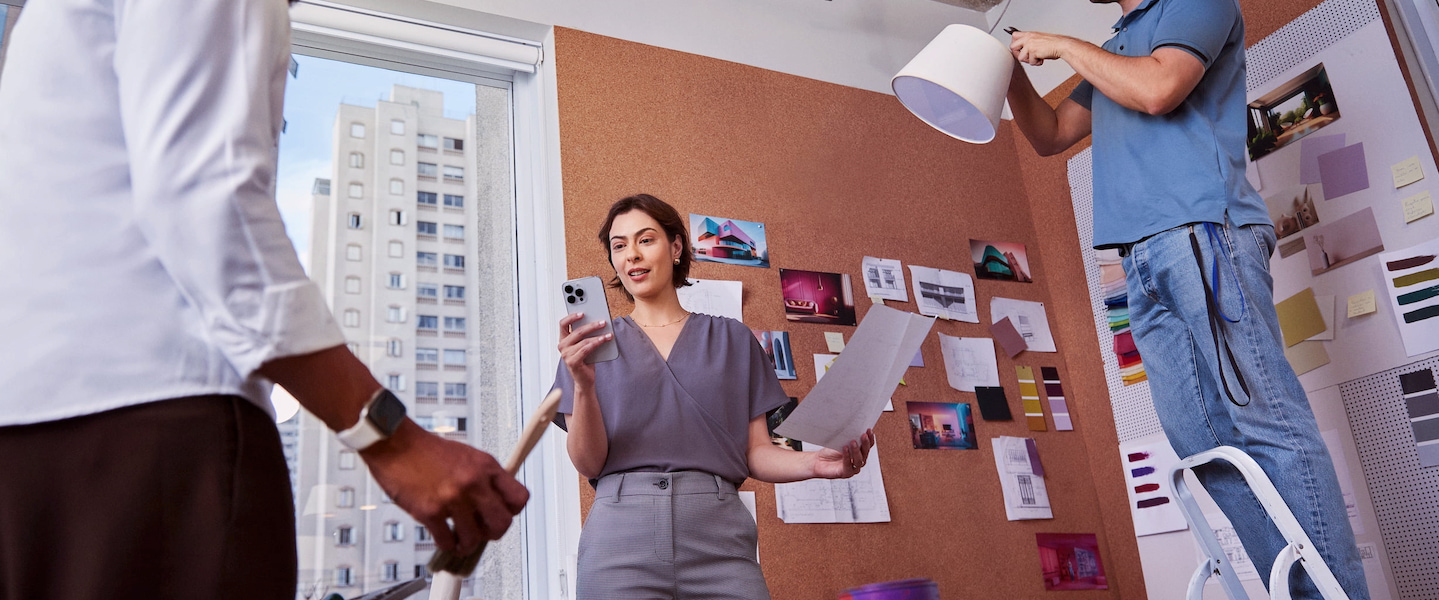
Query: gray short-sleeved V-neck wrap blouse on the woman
pixel 691 414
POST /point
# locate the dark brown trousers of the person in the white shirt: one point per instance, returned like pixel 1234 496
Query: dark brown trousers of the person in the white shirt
pixel 185 499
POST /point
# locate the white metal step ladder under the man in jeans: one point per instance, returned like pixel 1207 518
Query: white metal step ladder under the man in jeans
pixel 1299 550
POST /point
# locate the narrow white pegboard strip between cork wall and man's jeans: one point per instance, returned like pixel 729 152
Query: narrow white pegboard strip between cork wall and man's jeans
pixel 1133 408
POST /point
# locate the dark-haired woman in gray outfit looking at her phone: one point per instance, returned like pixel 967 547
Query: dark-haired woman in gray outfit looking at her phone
pixel 671 428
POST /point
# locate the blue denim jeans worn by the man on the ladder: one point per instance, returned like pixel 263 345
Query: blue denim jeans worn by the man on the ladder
pixel 1172 330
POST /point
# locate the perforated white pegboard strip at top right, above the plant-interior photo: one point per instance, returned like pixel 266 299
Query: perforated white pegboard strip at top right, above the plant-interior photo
pixel 1306 37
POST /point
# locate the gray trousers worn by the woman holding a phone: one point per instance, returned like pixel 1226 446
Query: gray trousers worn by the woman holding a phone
pixel 668 536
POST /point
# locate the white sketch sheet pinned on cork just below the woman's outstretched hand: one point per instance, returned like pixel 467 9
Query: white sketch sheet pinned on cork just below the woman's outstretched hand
pixel 860 499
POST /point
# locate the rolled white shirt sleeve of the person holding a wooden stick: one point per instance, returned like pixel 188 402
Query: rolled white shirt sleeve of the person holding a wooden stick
pixel 202 84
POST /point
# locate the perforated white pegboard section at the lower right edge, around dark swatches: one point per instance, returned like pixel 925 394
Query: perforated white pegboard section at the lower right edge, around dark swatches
pixel 1407 496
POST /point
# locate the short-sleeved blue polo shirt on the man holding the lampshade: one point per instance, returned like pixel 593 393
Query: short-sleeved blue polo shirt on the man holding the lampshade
pixel 1158 173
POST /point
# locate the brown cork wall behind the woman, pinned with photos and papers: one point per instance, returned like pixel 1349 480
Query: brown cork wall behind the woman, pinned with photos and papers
pixel 838 173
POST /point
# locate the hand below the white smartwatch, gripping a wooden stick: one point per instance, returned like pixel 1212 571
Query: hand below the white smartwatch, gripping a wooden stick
pixel 437 480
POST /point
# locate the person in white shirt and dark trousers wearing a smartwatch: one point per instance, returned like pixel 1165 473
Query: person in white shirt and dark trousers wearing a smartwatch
pixel 149 297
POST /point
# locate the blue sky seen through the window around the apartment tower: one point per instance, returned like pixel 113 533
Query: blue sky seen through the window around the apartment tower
pixel 312 101
